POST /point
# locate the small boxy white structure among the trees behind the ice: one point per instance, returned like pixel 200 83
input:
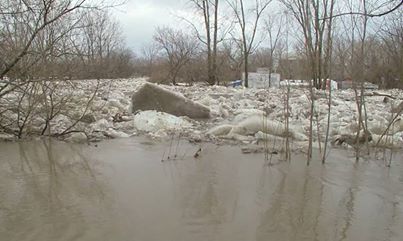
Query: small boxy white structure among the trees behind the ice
pixel 262 79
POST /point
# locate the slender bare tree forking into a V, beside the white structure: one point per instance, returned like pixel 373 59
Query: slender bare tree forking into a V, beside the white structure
pixel 242 19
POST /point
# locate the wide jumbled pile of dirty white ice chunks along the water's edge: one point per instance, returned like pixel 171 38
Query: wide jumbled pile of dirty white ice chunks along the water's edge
pixel 236 114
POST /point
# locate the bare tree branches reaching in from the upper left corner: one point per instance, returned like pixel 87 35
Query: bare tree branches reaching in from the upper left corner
pixel 26 21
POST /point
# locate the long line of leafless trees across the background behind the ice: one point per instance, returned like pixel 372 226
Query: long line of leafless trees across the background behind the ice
pixel 300 39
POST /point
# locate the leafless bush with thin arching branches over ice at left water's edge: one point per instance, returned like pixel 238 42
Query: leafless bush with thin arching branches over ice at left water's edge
pixel 37 106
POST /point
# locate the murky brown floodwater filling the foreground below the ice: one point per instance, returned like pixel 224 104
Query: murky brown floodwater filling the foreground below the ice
pixel 122 191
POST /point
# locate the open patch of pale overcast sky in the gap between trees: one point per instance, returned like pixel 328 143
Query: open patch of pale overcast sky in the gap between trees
pixel 139 18
